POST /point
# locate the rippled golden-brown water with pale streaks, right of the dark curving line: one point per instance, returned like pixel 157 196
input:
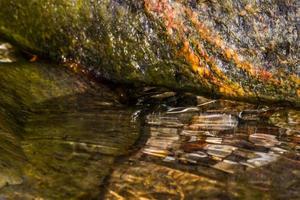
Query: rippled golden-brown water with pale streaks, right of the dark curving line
pixel 218 150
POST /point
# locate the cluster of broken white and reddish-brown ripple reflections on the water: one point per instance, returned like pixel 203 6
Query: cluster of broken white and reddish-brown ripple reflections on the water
pixel 215 138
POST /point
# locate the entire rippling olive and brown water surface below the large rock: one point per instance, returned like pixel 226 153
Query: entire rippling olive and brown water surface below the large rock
pixel 64 138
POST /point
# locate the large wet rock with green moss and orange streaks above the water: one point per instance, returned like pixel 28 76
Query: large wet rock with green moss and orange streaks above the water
pixel 235 49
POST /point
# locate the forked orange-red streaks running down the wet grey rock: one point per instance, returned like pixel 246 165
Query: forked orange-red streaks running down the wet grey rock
pixel 174 16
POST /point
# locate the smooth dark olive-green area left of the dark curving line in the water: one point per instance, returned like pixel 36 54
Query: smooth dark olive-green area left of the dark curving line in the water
pixel 60 134
